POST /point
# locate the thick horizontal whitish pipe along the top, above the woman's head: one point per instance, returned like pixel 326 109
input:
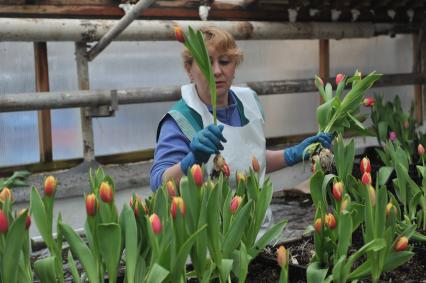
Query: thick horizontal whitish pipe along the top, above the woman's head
pixel 27 29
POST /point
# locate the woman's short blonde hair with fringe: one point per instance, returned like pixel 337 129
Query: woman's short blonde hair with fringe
pixel 220 40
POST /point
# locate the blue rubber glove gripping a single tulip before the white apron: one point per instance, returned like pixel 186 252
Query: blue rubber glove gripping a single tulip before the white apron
pixel 205 143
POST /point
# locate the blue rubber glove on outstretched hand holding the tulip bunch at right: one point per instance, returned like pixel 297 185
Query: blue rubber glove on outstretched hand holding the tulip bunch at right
pixel 294 154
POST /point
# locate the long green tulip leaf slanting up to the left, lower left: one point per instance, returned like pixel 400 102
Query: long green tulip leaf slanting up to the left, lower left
pixel 81 251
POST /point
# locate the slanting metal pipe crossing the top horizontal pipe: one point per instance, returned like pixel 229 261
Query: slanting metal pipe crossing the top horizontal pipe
pixel 118 28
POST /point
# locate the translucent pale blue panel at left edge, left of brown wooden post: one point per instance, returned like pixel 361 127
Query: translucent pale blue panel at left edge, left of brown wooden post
pixel 19 142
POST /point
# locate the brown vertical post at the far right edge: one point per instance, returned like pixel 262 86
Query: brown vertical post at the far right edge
pixel 417 68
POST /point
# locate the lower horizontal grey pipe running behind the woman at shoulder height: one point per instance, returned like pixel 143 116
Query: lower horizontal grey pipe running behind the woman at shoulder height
pixel 94 98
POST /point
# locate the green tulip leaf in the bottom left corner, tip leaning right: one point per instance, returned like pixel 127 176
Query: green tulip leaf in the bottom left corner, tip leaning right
pixel 14 241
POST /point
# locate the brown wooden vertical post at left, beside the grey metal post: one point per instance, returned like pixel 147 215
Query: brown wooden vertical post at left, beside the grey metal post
pixel 42 84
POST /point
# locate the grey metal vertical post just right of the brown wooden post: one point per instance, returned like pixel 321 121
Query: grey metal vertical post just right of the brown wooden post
pixel 83 84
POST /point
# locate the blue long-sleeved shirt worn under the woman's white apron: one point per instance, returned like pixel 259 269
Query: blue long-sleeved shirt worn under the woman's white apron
pixel 173 145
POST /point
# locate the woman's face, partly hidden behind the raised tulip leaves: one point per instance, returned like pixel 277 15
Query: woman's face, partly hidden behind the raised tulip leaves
pixel 223 69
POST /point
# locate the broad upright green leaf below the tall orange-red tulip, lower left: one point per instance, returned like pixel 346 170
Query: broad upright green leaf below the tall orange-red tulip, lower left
pixel 110 247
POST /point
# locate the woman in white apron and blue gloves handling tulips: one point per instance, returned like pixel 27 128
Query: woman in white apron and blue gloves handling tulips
pixel 186 134
